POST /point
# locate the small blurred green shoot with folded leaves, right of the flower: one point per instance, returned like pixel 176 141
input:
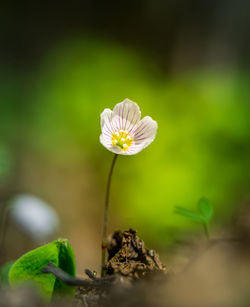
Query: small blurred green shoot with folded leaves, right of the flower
pixel 202 216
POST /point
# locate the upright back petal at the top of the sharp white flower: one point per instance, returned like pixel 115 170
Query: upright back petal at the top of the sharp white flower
pixel 126 115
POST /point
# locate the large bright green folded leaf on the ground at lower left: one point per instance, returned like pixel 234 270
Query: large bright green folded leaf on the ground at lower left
pixel 28 268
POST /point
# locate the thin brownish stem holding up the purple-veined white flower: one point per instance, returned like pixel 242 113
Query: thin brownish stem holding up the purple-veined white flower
pixel 105 221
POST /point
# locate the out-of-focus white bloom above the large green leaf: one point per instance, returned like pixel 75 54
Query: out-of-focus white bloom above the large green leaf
pixel 36 218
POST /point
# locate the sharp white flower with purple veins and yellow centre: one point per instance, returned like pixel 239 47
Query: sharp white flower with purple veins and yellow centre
pixel 123 130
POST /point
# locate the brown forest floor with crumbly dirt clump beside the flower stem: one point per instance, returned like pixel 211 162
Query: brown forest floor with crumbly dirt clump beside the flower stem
pixel 216 274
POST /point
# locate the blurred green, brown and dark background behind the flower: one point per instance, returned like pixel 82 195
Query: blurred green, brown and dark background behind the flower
pixel 186 63
